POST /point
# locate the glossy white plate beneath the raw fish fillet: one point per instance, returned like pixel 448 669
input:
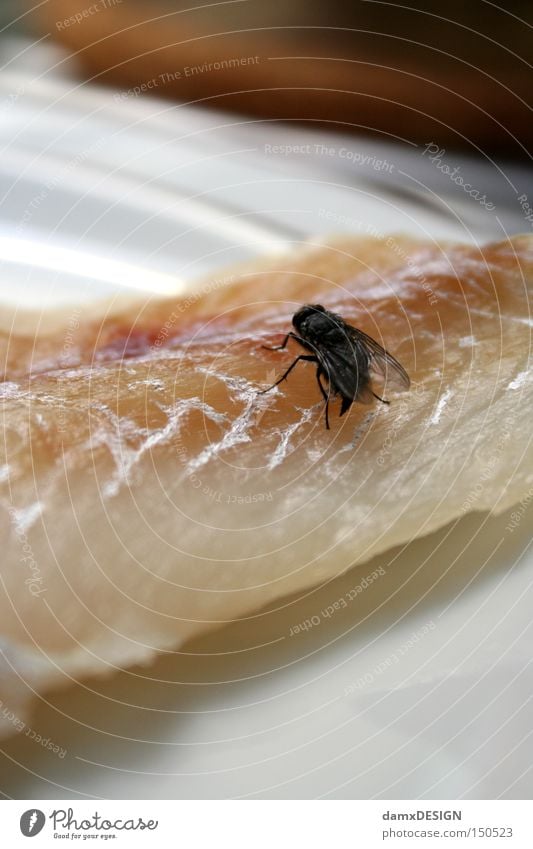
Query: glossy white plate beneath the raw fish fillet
pixel 421 688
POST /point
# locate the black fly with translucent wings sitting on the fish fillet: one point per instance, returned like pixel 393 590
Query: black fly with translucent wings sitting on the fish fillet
pixel 345 356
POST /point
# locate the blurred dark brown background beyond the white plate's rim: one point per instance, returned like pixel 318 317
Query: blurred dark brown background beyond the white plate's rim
pixel 457 73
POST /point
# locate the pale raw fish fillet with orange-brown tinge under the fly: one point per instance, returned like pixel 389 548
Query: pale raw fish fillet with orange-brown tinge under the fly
pixel 149 493
